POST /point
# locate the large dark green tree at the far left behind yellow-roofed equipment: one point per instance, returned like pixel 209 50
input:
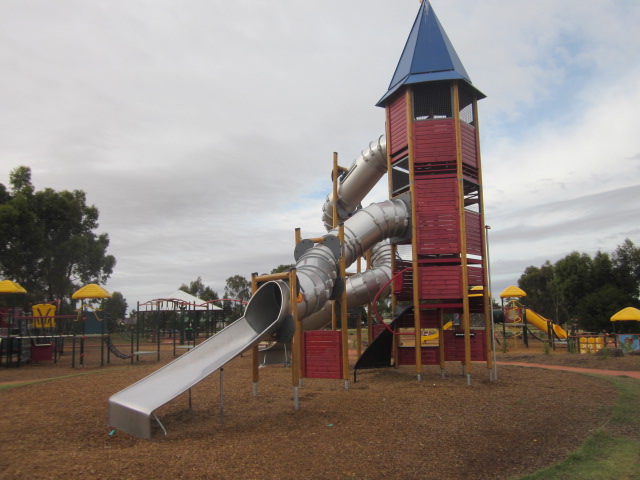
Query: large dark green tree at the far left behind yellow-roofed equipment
pixel 48 242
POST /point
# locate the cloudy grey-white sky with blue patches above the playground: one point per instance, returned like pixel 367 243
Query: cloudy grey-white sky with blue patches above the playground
pixel 203 130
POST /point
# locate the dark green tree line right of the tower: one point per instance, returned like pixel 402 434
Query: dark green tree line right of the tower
pixel 584 290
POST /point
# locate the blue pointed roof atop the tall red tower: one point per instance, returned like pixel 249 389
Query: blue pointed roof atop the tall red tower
pixel 428 56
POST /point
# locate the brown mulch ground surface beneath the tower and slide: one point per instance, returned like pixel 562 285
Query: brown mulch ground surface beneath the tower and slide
pixel 387 425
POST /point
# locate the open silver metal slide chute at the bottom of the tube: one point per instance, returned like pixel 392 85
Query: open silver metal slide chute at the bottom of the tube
pixel 131 409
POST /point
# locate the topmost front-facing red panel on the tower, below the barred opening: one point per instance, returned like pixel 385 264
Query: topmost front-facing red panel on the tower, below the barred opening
pixel 434 141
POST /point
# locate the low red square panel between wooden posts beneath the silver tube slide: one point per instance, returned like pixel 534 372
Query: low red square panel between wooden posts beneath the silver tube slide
pixel 322 354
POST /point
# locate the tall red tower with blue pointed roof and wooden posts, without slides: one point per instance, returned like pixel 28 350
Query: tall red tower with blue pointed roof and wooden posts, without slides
pixel 433 155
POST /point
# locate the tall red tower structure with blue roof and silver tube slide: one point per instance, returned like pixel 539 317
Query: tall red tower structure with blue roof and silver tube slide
pixel 425 245
